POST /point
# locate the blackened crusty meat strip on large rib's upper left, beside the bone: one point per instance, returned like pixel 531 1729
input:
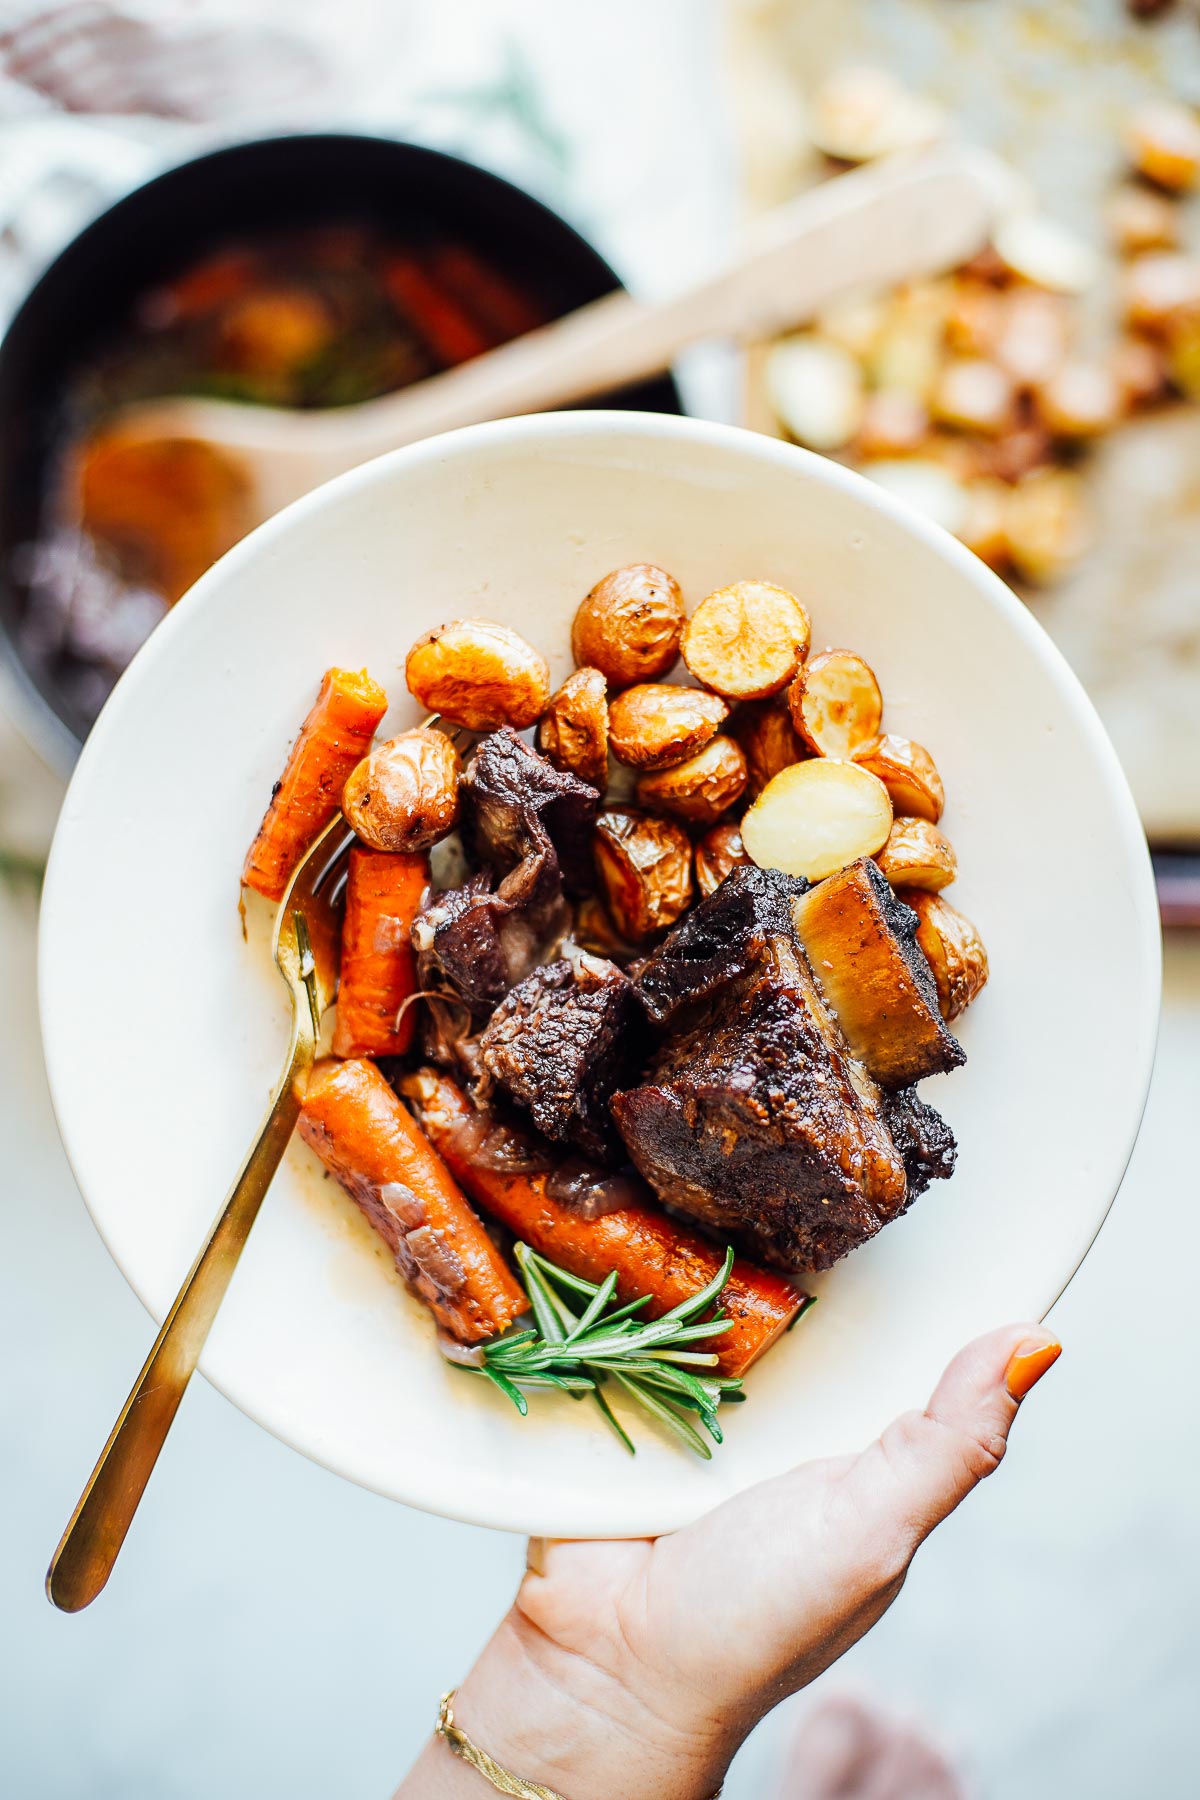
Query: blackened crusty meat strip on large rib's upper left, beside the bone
pixel 717 942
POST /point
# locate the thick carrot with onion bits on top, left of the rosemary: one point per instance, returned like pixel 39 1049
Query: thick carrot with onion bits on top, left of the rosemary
pixel 366 1138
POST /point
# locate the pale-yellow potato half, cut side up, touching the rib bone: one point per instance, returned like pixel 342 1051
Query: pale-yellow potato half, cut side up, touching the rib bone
pixel 818 818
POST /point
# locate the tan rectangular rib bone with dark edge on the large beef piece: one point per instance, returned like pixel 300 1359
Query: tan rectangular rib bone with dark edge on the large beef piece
pixel 861 942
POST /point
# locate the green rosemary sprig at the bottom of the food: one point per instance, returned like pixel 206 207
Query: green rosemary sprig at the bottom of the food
pixel 652 1362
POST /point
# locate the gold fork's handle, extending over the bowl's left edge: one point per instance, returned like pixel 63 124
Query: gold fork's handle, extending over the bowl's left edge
pixel 98 1527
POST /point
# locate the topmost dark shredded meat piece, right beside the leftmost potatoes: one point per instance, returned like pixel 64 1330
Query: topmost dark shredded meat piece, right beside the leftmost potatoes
pixel 514 800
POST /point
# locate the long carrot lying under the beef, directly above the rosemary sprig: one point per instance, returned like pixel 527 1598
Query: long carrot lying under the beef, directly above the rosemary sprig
pixel 650 1252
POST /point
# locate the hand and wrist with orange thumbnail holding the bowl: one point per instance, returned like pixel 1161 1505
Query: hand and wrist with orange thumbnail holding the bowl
pixel 640 1668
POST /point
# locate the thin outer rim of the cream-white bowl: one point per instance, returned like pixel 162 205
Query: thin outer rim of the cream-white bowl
pixel 584 426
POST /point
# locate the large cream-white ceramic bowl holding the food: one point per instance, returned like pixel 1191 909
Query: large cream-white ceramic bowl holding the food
pixel 165 1030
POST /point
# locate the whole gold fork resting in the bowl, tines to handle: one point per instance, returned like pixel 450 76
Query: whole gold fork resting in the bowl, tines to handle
pixel 307 953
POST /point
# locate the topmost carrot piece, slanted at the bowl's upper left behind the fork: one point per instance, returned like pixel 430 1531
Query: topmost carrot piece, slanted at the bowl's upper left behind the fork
pixel 334 739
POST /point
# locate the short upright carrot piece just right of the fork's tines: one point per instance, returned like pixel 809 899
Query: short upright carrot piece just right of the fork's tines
pixel 379 964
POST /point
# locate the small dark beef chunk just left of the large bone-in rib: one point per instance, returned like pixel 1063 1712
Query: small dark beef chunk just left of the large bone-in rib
pixel 562 1043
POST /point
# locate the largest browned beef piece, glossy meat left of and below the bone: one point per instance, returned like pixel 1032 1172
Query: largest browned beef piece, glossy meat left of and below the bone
pixel 755 1119
